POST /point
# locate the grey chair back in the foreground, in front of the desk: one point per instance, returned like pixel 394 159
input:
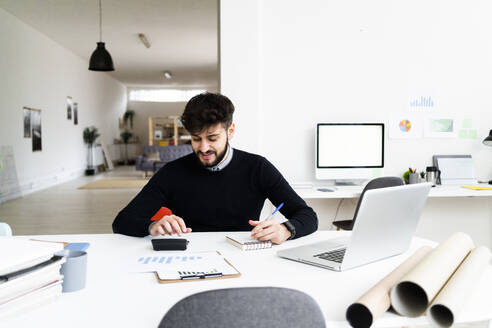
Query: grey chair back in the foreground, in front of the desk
pixel 269 307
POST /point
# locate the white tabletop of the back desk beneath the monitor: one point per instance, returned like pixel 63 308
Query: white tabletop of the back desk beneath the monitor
pixel 355 191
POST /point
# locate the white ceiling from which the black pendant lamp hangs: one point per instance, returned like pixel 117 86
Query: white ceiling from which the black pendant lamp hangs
pixel 183 34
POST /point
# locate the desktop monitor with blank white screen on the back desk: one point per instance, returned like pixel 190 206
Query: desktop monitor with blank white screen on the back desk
pixel 348 151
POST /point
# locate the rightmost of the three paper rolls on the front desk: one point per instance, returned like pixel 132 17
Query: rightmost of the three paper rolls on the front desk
pixel 448 303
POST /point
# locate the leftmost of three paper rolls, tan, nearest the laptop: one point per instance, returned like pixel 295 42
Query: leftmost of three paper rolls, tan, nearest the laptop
pixel 376 300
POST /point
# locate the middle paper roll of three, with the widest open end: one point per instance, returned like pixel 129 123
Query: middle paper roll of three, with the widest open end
pixel 412 295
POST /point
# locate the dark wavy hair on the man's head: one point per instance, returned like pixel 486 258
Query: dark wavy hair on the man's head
pixel 207 109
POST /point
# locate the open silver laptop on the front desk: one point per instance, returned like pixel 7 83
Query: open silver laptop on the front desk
pixel 384 227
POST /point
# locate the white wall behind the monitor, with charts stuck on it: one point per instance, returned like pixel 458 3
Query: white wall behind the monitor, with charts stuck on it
pixel 329 61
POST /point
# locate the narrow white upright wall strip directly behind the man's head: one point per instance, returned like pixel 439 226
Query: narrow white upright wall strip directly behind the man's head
pixel 240 28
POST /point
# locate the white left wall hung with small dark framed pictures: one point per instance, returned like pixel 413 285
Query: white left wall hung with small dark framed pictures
pixel 39 73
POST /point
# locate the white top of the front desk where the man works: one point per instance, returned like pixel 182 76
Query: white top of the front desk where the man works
pixel 113 298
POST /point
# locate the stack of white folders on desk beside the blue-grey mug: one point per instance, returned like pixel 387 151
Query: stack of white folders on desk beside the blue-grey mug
pixel 29 274
